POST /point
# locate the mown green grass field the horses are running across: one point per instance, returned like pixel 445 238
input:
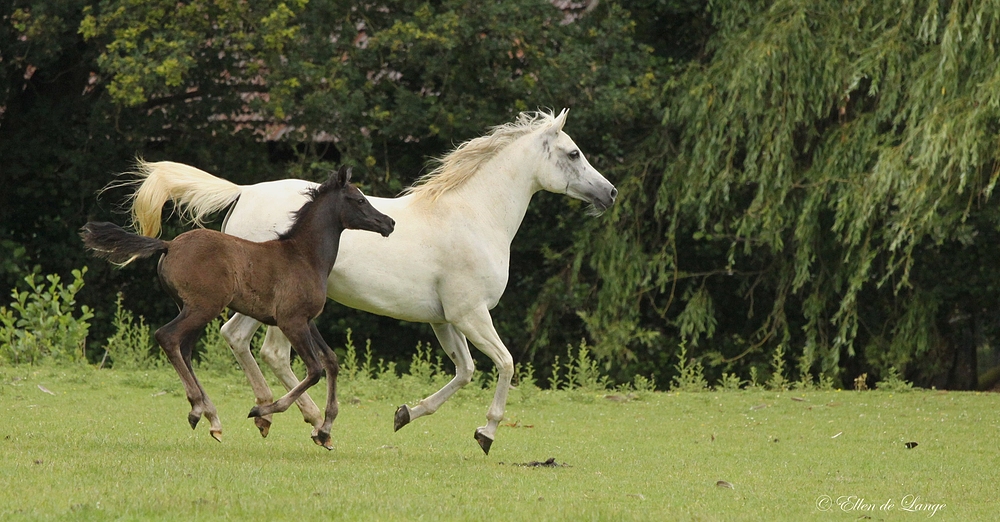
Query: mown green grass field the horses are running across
pixel 113 445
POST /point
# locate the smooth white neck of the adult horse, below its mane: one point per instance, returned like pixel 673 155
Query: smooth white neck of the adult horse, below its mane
pixel 499 193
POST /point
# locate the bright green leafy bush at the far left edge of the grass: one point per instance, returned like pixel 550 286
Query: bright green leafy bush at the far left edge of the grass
pixel 40 324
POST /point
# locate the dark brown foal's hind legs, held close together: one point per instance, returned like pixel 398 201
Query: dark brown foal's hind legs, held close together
pixel 177 338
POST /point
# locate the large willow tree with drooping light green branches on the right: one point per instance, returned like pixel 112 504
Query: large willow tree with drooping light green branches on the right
pixel 822 171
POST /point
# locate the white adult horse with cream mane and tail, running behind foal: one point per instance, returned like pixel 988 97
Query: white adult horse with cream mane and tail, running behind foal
pixel 446 263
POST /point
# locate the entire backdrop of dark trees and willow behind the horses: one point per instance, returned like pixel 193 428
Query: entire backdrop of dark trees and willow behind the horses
pixel 807 177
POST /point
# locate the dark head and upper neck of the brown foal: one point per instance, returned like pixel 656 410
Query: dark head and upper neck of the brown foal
pixel 346 206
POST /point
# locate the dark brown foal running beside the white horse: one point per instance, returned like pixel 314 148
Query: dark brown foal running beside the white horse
pixel 280 283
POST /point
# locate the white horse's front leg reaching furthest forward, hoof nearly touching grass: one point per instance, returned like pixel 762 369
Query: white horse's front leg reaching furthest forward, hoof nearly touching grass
pixel 478 327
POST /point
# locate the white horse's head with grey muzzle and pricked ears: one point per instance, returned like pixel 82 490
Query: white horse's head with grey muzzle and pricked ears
pixel 564 169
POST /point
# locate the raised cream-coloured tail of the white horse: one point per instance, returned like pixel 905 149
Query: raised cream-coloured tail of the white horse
pixel 194 193
